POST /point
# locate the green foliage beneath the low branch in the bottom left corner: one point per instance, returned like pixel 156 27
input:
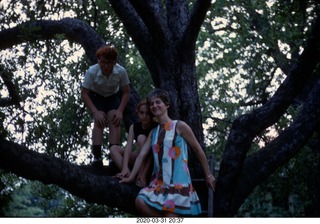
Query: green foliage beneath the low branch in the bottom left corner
pixel 34 199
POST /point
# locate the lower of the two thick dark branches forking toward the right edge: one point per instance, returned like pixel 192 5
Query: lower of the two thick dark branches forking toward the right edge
pixel 280 150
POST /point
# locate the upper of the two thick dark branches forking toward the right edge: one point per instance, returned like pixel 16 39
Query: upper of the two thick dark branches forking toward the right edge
pixel 298 77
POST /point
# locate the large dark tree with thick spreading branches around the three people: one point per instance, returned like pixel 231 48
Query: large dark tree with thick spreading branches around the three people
pixel 165 34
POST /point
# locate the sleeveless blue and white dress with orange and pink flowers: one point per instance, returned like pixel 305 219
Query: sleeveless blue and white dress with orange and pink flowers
pixel 170 188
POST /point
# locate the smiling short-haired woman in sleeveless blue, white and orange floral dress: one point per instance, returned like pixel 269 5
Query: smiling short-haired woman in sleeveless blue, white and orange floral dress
pixel 170 192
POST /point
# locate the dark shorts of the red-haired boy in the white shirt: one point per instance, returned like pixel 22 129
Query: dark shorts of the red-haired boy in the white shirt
pixel 104 104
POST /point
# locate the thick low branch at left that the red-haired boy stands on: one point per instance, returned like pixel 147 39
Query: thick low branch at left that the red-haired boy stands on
pixel 80 181
